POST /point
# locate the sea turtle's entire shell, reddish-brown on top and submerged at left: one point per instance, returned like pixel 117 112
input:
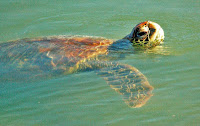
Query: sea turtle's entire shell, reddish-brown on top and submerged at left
pixel 48 55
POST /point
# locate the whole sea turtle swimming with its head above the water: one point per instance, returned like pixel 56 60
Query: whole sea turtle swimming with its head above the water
pixel 44 57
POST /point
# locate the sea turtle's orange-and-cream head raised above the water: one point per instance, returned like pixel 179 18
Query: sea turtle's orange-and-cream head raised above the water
pixel 146 32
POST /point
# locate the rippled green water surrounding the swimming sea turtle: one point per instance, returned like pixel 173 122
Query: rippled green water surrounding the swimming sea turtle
pixel 84 98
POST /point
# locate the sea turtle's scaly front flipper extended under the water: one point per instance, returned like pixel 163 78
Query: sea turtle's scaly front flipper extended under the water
pixel 129 82
